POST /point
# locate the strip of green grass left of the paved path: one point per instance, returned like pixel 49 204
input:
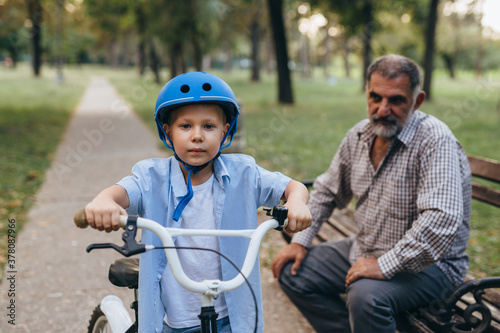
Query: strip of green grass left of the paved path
pixel 33 116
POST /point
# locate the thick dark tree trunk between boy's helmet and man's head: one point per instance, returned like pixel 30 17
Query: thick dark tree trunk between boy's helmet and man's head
pixel 285 94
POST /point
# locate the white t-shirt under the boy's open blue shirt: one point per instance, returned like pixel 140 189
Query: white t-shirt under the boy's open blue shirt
pixel 182 307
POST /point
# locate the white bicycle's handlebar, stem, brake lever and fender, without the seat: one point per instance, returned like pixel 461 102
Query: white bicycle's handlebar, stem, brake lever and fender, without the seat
pixel 208 289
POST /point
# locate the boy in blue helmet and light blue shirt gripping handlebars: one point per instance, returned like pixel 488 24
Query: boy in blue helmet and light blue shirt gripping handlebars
pixel 196 115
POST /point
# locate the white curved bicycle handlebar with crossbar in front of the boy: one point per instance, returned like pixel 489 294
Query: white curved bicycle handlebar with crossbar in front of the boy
pixel 206 287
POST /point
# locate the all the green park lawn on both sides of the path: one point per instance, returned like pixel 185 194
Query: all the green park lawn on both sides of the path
pixel 297 140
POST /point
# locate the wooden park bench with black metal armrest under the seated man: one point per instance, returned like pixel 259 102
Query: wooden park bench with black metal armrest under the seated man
pixel 474 306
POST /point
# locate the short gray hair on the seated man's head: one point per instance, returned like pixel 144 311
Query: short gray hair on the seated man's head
pixel 392 66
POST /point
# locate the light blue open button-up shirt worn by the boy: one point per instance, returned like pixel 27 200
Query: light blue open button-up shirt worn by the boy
pixel 240 187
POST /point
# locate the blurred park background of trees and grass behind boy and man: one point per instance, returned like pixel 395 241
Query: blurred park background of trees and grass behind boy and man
pixel 296 67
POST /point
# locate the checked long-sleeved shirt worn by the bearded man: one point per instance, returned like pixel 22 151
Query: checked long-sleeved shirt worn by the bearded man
pixel 413 211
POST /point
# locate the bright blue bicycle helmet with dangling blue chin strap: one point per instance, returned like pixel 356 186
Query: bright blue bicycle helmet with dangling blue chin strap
pixel 195 88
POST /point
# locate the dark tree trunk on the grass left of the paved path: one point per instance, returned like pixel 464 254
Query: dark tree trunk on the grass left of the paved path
pixel 35 15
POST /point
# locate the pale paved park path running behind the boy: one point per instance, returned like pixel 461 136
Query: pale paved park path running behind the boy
pixel 57 282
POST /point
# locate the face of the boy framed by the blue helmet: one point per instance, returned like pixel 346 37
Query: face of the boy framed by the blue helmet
pixel 196 132
